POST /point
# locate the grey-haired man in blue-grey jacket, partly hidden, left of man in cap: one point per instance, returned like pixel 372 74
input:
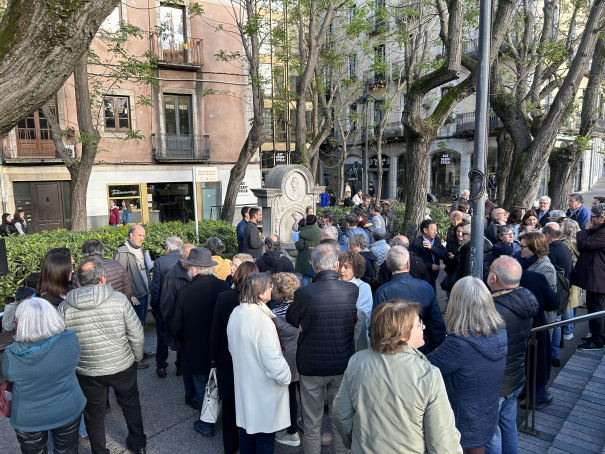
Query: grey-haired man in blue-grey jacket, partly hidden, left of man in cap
pixel 161 266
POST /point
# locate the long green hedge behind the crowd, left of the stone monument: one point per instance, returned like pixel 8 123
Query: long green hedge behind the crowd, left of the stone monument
pixel 25 253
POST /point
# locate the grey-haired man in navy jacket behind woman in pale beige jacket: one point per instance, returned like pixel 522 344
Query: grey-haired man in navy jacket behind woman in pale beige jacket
pixel 406 287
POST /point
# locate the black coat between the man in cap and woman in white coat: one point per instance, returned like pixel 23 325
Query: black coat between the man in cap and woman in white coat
pixel 220 357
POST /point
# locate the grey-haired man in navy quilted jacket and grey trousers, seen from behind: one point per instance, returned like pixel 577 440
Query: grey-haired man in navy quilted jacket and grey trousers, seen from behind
pixel 326 312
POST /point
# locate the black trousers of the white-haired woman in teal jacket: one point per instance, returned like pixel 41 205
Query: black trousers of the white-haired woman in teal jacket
pixel 66 439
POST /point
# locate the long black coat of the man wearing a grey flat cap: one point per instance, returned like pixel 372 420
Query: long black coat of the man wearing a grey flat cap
pixel 192 321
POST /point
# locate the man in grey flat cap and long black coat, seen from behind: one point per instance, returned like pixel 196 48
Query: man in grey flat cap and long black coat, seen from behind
pixel 192 323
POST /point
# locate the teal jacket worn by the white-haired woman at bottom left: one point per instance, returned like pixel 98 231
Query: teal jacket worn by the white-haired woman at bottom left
pixel 46 393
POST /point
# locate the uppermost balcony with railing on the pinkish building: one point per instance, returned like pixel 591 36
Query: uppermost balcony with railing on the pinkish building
pixel 172 52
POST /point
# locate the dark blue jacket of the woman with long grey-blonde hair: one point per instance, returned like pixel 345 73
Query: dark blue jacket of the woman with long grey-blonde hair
pixel 473 368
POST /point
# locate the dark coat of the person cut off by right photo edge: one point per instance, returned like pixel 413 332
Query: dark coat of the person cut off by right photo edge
pixel 589 272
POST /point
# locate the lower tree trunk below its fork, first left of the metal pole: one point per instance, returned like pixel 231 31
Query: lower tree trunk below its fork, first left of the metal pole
pixel 416 183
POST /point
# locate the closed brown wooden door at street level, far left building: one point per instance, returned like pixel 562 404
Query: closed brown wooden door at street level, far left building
pixel 48 206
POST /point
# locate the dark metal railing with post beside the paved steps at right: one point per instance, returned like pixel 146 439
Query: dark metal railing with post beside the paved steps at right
pixel 532 351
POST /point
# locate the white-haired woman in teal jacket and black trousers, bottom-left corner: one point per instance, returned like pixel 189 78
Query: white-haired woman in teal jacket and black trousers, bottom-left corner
pixel 41 364
